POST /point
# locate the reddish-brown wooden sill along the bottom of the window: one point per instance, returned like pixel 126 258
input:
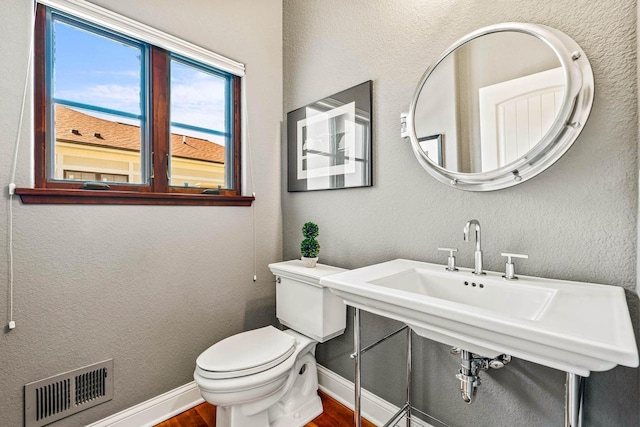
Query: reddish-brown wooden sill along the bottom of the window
pixel 109 197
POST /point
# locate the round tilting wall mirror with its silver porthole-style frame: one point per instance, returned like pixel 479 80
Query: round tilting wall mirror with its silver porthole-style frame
pixel 500 106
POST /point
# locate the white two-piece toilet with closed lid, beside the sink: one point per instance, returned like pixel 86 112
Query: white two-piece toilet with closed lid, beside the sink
pixel 267 377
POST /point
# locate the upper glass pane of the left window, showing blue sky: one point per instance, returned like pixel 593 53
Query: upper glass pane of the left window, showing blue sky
pixel 92 69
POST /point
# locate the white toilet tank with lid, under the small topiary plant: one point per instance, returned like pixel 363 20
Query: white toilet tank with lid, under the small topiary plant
pixel 305 306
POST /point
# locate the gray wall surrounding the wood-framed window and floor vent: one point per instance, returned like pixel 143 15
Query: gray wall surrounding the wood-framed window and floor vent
pixel 151 286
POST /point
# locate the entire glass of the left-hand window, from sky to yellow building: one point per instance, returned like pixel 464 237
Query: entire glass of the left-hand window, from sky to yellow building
pixel 97 106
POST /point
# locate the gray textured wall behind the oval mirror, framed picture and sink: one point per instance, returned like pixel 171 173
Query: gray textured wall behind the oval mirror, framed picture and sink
pixel 577 221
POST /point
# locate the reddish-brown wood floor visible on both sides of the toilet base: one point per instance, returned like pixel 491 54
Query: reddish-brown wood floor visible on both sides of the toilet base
pixel 204 415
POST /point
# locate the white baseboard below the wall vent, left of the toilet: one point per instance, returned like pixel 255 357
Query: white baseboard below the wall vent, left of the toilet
pixel 155 410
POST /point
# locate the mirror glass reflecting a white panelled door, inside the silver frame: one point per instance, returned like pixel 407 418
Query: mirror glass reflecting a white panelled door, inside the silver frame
pixel 489 102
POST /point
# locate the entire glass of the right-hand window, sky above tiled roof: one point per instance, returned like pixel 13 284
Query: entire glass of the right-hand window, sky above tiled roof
pixel 200 136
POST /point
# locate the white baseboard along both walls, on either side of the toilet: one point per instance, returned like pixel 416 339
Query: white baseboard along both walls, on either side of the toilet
pixel 174 402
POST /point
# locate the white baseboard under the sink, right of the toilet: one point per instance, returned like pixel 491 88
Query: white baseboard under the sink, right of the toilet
pixel 374 409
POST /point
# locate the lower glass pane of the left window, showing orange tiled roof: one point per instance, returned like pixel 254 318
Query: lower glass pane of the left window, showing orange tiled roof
pixel 96 147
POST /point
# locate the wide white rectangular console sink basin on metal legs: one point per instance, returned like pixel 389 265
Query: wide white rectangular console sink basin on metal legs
pixel 573 326
